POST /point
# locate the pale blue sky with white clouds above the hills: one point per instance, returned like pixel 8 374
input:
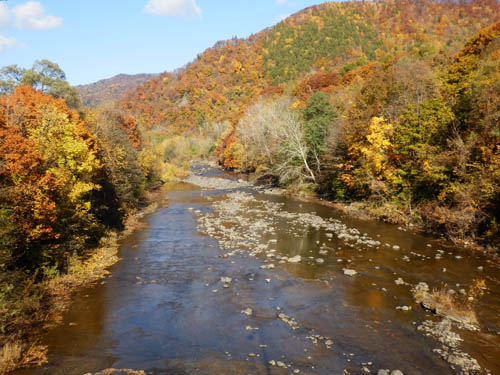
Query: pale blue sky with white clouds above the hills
pixel 97 39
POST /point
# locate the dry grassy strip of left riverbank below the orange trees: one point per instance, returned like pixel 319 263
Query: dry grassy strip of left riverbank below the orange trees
pixel 28 312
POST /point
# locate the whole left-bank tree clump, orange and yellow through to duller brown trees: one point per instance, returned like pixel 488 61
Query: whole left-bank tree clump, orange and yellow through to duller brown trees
pixel 56 177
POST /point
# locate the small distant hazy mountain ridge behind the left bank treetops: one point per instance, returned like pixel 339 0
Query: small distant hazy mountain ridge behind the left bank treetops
pixel 107 90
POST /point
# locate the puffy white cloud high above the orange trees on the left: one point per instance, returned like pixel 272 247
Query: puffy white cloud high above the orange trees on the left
pixel 31 15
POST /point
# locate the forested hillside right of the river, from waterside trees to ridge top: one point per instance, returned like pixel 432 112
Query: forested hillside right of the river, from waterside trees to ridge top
pixel 390 104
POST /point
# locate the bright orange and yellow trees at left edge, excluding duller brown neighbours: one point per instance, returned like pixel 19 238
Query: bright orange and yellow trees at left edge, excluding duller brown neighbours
pixel 48 165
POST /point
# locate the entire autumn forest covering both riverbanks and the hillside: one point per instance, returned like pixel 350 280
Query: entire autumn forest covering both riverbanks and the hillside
pixel 391 108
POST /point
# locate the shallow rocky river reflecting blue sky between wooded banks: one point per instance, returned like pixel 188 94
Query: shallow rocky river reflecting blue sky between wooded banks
pixel 164 308
